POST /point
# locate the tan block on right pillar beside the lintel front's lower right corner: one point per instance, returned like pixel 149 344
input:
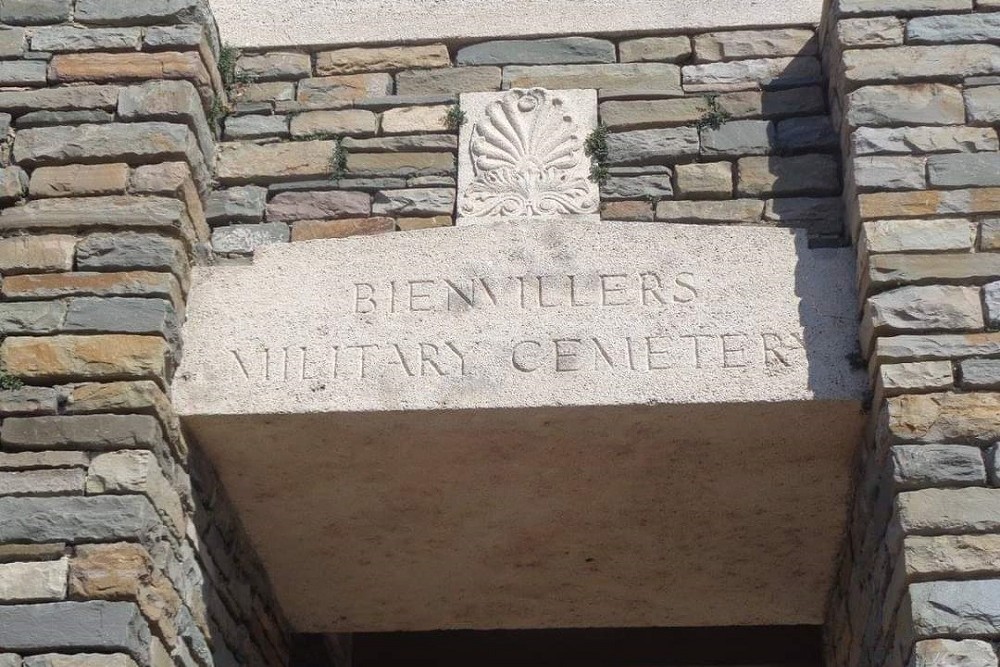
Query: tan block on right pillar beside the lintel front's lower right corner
pixel 942 418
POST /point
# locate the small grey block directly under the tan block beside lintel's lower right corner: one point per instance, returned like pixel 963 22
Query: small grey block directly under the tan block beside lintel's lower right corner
pixel 922 466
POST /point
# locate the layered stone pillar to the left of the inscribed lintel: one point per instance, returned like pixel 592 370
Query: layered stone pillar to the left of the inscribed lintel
pixel 115 538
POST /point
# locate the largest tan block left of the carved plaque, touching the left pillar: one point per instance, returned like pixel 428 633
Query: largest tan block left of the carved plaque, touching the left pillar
pixel 248 163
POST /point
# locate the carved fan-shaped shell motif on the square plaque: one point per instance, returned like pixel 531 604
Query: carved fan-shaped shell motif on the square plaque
pixel 528 160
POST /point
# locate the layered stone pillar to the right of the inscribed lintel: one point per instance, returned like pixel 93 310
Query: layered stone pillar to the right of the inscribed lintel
pixel 917 93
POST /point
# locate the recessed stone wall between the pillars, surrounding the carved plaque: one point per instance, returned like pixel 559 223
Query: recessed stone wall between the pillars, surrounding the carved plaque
pixel 721 127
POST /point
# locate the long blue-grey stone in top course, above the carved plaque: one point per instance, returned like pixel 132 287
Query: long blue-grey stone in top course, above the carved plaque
pixel 559 50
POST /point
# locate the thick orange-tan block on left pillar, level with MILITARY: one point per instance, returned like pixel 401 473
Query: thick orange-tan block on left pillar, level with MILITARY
pixel 67 358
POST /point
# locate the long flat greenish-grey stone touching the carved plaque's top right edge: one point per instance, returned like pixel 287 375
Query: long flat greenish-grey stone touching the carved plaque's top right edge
pixel 619 77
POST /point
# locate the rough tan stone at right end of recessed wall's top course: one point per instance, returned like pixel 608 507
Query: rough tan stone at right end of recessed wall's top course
pixel 732 45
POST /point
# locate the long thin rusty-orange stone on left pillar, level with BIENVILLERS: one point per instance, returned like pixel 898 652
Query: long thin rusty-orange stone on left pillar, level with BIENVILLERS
pixel 128 283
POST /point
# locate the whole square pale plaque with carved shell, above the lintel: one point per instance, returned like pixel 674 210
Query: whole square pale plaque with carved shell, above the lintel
pixel 521 156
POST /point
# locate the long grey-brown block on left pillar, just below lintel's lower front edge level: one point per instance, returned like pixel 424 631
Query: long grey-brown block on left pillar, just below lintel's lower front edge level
pixel 87 432
